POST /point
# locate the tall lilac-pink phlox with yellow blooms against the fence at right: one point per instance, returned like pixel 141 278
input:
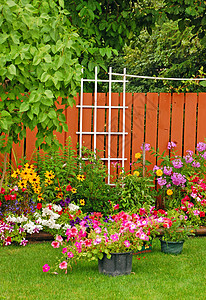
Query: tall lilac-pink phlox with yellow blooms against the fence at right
pixel 173 173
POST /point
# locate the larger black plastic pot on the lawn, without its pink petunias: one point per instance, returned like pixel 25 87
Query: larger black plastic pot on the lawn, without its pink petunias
pixel 118 264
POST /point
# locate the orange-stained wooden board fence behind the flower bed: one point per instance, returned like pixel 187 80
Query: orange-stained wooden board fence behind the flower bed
pixel 152 118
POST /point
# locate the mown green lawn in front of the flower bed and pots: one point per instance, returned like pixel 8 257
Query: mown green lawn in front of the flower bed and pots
pixel 154 276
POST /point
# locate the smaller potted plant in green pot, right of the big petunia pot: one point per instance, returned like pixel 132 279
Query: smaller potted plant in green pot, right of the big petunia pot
pixel 175 230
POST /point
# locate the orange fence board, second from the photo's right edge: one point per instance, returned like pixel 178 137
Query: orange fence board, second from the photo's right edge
pixel 190 122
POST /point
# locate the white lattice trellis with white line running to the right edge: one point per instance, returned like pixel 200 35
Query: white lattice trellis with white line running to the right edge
pixel 95 107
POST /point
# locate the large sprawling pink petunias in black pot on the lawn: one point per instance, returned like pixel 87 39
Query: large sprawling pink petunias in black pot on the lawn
pixel 111 240
